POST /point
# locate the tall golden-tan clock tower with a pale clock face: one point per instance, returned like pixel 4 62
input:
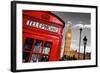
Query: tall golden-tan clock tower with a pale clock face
pixel 68 39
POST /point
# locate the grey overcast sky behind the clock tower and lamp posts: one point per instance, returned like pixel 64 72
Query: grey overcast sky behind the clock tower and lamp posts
pixel 77 19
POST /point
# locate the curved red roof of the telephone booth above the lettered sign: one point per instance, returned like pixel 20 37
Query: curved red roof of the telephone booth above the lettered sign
pixel 45 16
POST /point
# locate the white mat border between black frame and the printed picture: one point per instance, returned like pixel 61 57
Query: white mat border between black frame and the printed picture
pixel 42 65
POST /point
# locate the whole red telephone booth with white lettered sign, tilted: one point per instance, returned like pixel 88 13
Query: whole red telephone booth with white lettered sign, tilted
pixel 42 36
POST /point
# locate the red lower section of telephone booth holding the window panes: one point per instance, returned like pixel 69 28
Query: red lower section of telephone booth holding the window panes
pixel 38 49
